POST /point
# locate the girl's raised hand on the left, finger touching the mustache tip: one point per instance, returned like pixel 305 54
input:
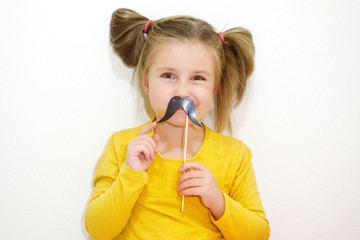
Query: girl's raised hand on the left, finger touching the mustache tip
pixel 141 150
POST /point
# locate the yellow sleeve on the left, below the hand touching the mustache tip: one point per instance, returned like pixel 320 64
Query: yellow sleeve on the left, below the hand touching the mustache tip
pixel 116 189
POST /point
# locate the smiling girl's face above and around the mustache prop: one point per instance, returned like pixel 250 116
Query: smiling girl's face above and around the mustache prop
pixel 184 69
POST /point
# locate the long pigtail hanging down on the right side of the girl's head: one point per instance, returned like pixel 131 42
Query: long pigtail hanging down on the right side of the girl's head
pixel 238 65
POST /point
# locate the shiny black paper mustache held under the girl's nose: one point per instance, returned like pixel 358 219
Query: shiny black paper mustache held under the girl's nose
pixel 188 105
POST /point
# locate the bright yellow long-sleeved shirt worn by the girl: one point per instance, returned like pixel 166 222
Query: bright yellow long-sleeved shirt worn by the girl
pixel 129 204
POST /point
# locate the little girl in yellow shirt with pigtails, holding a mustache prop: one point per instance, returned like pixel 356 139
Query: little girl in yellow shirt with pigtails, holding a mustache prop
pixel 140 178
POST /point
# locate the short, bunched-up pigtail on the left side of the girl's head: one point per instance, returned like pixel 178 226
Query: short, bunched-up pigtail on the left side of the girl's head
pixel 126 35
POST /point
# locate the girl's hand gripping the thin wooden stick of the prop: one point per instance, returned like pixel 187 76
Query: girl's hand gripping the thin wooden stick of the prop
pixel 201 182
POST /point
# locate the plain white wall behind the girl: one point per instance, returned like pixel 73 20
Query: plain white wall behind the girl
pixel 63 92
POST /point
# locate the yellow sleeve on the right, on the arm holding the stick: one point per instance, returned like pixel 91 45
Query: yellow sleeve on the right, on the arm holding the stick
pixel 244 216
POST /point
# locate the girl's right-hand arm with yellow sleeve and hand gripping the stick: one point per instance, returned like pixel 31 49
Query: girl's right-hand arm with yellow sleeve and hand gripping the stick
pixel 239 214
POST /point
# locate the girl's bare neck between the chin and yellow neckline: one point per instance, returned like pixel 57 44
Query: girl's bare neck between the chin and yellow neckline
pixel 171 143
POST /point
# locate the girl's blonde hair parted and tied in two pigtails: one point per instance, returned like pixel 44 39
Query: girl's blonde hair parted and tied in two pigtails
pixel 235 55
